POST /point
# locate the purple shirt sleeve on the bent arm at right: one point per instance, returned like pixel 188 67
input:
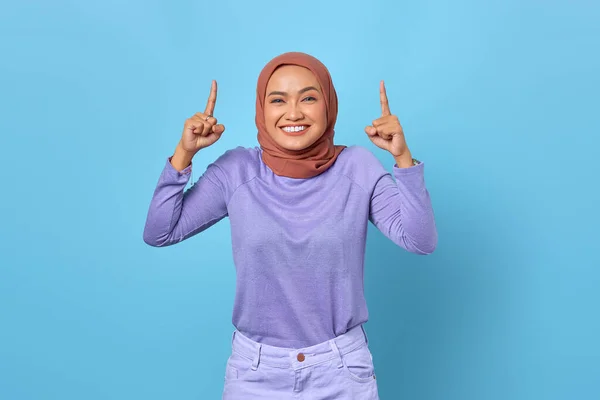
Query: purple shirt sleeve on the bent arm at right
pixel 402 210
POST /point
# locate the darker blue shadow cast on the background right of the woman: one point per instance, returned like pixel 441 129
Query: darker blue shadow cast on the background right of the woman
pixel 445 326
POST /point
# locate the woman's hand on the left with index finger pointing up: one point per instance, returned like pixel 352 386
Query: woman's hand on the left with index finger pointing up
pixel 202 130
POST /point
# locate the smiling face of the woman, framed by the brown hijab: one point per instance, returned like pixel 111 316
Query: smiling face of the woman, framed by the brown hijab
pixel 295 110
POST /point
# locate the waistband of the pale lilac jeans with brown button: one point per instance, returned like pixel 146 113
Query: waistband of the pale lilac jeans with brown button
pixel 299 358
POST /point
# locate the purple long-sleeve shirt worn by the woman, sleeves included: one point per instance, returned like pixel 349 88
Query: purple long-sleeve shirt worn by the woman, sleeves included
pixel 298 244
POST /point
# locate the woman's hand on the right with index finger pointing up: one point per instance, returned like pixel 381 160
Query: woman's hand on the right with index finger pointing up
pixel 386 132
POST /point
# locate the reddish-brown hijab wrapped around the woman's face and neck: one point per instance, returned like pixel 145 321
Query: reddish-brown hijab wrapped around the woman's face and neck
pixel 321 155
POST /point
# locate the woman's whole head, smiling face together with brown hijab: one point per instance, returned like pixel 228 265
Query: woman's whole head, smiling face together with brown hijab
pixel 295 91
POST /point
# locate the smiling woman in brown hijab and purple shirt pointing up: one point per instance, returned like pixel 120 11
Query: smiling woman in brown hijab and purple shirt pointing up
pixel 299 207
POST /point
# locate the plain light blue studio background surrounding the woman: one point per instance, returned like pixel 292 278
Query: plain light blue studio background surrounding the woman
pixel 500 99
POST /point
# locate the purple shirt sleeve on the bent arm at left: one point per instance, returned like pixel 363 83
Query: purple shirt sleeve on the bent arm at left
pixel 176 214
